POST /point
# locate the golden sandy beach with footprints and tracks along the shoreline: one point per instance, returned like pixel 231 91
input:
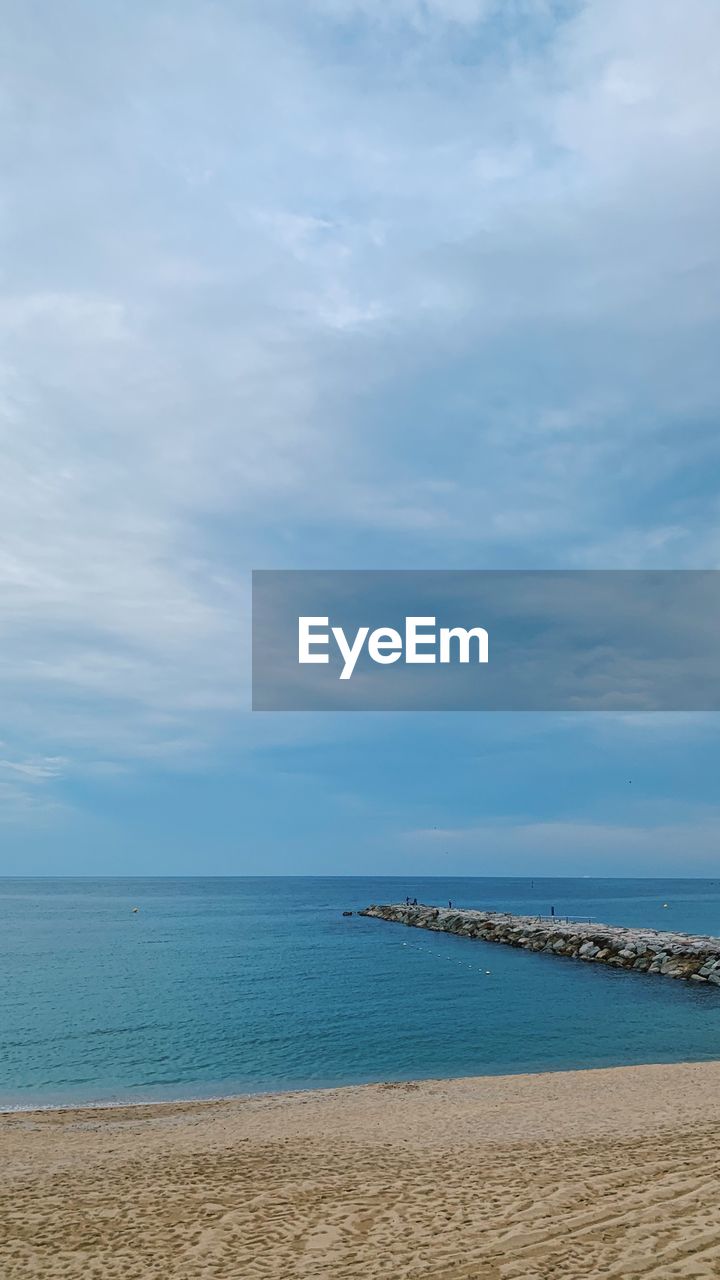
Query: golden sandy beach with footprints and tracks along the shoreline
pixel 576 1176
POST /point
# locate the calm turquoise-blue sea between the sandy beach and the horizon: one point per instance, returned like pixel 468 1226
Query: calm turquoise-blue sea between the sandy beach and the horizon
pixel 224 986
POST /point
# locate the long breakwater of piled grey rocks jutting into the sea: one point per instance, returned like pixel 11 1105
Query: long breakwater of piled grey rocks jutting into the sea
pixel 673 956
